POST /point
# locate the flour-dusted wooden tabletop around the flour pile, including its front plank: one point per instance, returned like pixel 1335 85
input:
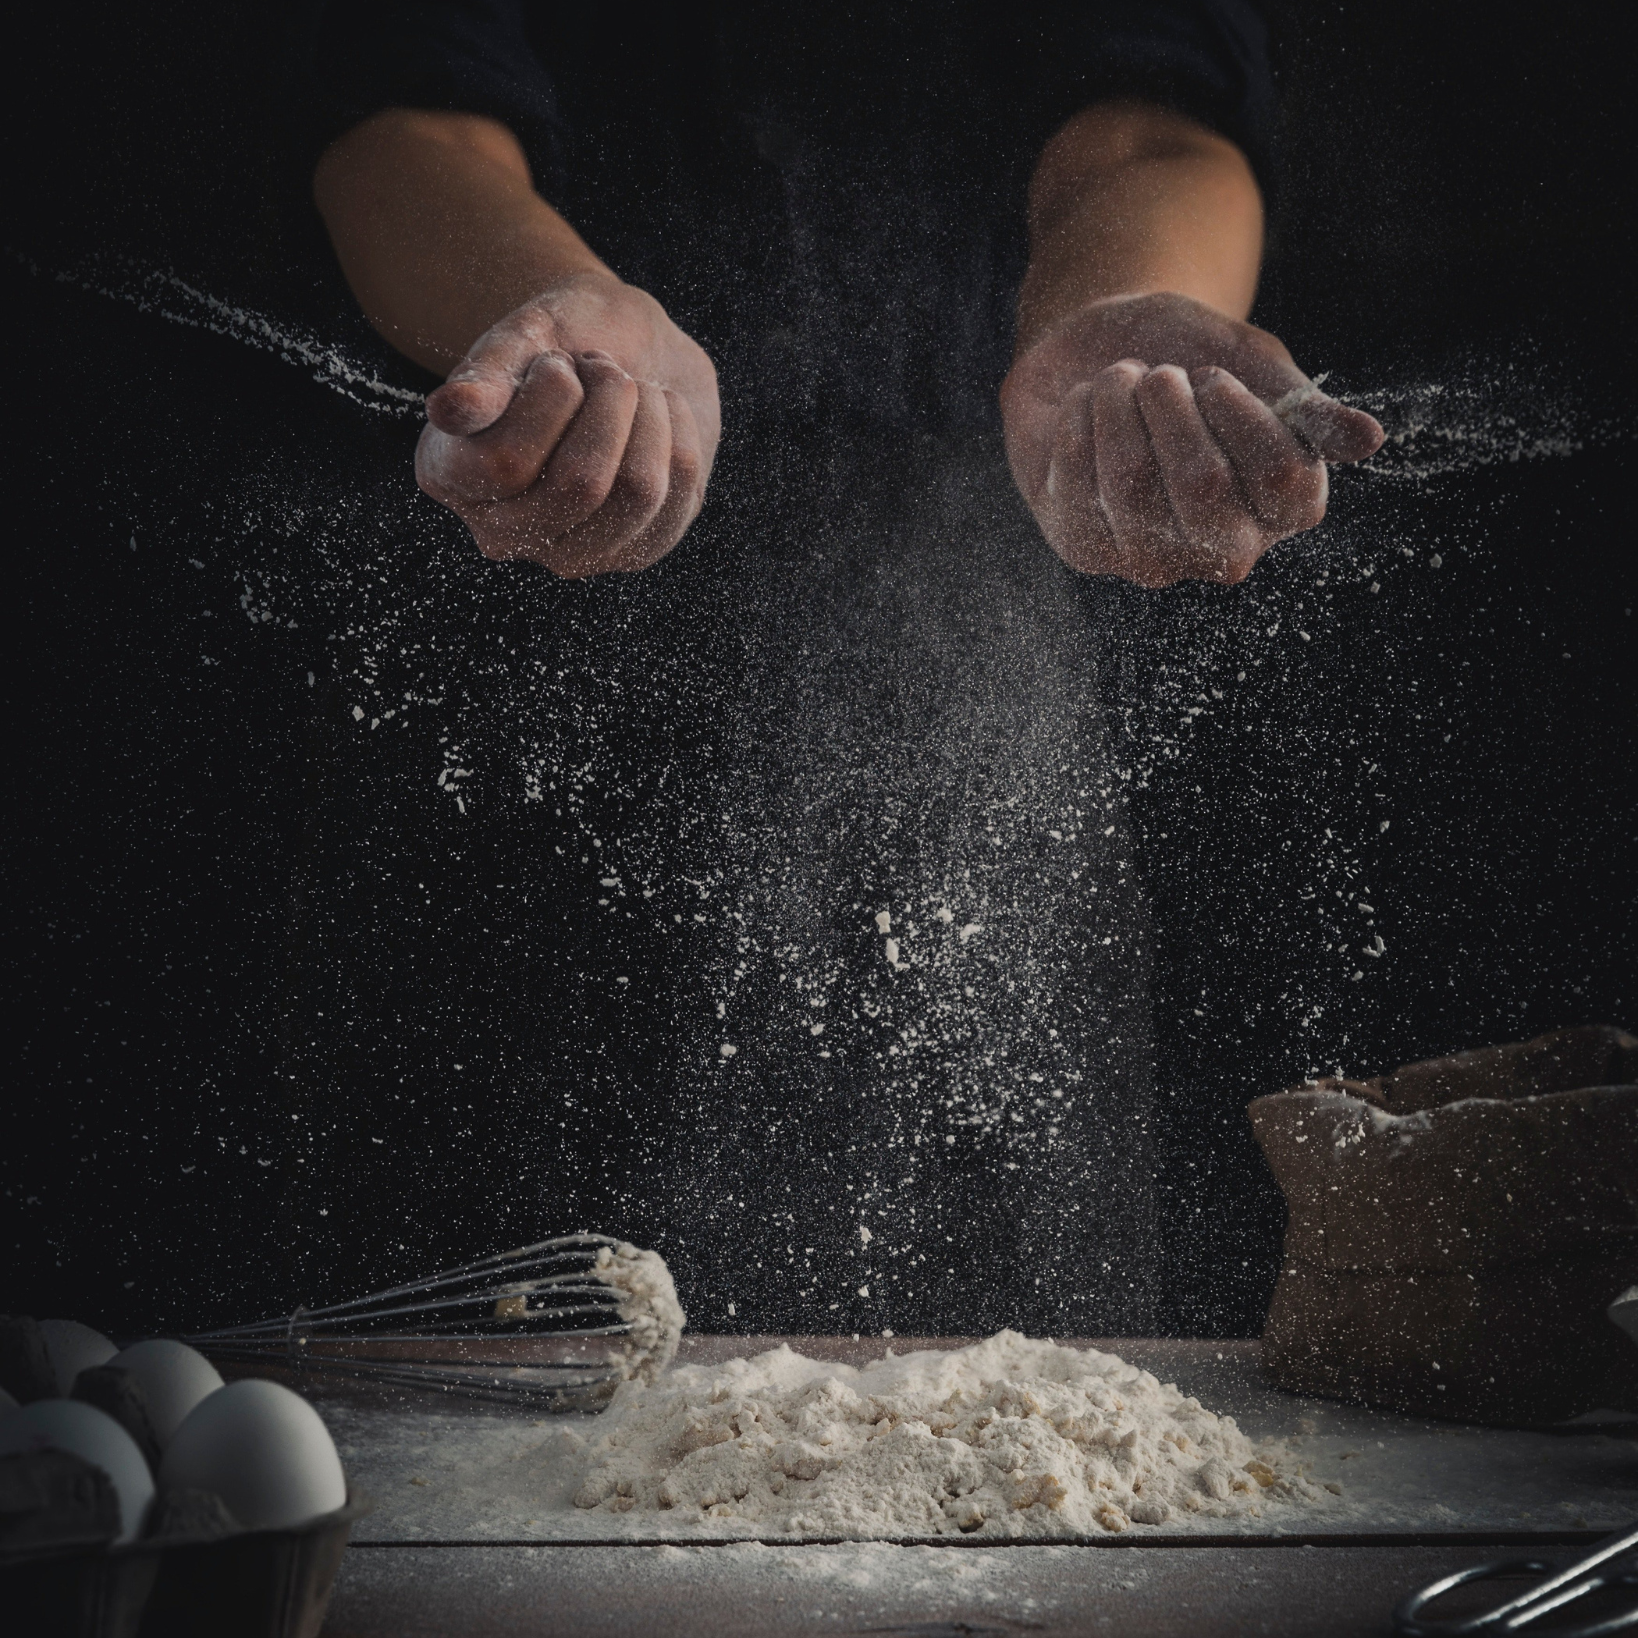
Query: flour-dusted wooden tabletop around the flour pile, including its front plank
pixel 474 1532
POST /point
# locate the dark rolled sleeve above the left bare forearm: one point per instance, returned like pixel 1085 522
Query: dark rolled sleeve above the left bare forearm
pixel 346 60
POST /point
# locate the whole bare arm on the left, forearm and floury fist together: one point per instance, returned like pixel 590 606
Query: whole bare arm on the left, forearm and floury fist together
pixel 579 423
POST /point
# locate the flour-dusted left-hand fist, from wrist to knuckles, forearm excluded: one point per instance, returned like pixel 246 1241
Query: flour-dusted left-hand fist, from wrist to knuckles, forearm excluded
pixel 577 433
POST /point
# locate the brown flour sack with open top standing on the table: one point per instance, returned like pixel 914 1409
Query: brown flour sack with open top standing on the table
pixel 1459 1229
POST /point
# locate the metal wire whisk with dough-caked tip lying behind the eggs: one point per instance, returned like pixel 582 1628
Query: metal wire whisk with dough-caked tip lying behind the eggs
pixel 518 1326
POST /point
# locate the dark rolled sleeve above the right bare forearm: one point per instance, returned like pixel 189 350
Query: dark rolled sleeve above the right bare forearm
pixel 1210 60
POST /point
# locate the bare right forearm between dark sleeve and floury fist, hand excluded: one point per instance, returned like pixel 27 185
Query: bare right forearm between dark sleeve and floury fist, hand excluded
pixel 1131 199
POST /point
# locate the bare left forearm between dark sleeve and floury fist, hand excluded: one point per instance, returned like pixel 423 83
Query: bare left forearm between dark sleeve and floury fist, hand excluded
pixel 438 229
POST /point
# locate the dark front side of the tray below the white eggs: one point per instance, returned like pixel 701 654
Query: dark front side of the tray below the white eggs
pixel 250 1585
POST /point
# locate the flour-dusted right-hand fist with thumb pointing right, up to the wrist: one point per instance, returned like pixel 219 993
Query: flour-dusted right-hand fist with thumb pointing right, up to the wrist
pixel 1159 440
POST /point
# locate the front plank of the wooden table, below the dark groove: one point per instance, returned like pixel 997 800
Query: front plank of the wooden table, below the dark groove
pixel 640 1593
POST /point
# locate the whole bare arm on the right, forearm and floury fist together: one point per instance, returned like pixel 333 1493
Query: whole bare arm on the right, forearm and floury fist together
pixel 1139 409
